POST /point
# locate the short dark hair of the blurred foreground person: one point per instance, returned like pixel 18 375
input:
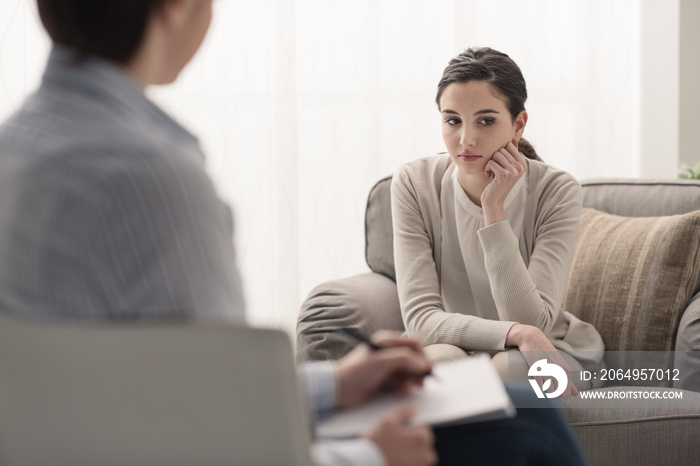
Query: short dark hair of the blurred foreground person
pixel 111 29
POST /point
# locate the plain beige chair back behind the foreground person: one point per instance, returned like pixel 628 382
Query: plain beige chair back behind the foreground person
pixel 137 394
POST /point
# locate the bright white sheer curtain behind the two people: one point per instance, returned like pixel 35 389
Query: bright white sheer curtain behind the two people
pixel 302 105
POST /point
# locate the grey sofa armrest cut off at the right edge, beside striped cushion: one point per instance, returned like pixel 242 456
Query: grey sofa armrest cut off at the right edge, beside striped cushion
pixel 687 356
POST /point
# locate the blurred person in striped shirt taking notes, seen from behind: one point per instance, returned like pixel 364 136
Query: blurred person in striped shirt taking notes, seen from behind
pixel 107 213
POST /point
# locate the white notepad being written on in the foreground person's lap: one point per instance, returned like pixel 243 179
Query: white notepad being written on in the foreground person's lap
pixel 466 390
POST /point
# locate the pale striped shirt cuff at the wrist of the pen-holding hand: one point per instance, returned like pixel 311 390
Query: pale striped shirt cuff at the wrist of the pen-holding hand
pixel 319 384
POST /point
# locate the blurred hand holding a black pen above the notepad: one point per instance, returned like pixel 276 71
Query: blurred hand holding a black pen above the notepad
pixel 386 363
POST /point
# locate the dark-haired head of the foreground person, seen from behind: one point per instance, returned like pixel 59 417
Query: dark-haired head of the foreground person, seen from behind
pixel 152 39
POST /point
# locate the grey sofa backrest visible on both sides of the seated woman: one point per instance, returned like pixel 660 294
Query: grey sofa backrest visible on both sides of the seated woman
pixel 628 197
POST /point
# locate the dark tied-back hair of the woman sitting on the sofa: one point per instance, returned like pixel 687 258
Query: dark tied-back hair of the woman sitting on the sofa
pixel 497 69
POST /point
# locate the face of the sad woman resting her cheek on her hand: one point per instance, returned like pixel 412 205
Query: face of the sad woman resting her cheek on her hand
pixel 475 124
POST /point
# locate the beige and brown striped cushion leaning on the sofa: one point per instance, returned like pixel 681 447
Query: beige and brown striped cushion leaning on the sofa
pixel 633 277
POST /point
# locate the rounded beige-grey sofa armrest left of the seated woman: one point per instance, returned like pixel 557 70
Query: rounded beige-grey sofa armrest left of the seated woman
pixel 366 303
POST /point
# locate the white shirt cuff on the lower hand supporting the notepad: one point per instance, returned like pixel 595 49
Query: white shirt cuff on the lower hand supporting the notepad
pixel 355 452
